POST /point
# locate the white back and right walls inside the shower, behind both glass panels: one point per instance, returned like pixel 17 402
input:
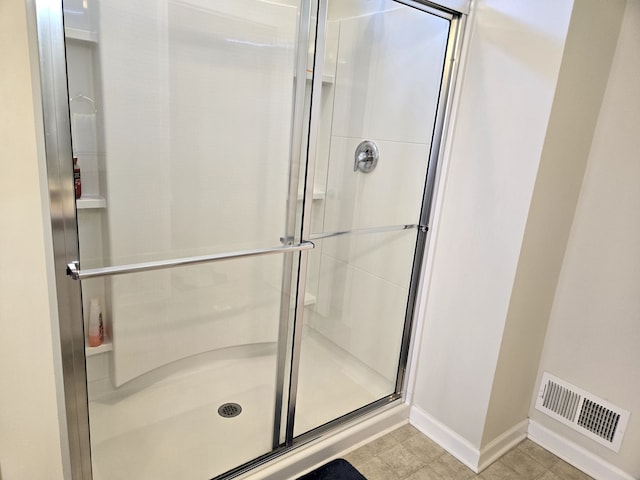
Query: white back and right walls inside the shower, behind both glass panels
pixel 188 168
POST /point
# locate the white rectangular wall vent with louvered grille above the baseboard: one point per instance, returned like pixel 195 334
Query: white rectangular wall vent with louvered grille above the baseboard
pixel 593 417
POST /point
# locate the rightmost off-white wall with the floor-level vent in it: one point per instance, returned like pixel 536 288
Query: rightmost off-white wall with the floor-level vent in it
pixel 594 327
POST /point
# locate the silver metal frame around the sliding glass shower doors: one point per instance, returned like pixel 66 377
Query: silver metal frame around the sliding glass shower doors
pixel 55 104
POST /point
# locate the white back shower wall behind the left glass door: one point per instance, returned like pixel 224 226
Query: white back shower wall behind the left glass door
pixel 204 96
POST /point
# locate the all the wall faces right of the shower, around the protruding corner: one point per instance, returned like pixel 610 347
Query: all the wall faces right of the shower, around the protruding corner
pixel 508 254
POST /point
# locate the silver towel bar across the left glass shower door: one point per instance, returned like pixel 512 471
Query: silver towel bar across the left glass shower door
pixel 74 272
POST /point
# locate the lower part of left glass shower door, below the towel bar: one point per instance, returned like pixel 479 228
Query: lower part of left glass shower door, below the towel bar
pixel 180 344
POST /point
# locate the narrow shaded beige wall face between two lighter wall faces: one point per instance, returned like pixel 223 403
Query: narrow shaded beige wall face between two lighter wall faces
pixel 591 42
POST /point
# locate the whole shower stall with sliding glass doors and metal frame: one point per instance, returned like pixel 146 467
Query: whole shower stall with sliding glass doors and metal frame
pixel 256 179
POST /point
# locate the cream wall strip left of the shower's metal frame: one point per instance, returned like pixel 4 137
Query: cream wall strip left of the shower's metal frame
pixel 29 431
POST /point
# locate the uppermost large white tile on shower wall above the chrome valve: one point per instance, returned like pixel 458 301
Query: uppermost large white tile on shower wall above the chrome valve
pixel 386 83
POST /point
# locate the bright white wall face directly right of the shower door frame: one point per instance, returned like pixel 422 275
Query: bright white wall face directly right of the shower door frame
pixel 505 100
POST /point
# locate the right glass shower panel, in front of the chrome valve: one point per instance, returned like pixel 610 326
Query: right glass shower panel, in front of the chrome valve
pixel 383 68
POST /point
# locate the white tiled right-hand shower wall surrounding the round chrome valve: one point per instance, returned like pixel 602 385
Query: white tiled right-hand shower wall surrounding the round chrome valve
pixel 386 90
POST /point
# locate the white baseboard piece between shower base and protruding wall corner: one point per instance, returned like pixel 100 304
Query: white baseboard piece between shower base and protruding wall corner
pixel 452 442
